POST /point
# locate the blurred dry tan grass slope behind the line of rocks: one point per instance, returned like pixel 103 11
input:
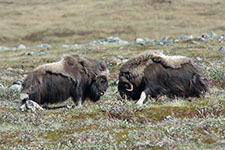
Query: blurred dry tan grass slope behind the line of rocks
pixel 80 21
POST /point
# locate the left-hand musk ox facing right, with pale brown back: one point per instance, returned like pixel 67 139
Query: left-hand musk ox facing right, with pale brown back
pixel 75 76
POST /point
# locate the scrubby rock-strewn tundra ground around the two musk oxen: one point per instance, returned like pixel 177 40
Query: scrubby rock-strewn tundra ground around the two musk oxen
pixel 111 123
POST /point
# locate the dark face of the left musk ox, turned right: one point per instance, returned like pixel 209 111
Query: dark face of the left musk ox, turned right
pixel 98 88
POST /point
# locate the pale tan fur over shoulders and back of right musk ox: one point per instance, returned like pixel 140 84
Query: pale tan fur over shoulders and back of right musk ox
pixel 137 65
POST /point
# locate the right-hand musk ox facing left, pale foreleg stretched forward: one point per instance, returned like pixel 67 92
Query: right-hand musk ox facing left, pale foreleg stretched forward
pixel 153 74
